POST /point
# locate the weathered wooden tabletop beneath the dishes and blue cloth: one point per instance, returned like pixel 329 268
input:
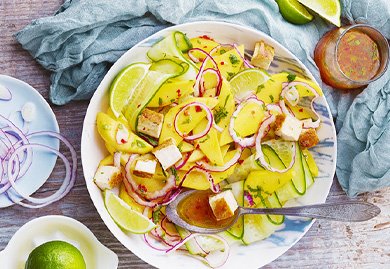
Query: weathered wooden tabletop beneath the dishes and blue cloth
pixel 326 245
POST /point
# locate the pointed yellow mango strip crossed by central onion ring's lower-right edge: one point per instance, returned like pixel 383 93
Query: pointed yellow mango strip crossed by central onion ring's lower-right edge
pixel 209 144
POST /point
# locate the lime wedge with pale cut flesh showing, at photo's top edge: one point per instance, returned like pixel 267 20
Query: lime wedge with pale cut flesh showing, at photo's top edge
pixel 330 10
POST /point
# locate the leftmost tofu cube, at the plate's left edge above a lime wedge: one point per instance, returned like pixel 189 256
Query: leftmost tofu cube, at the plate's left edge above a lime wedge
pixel 107 177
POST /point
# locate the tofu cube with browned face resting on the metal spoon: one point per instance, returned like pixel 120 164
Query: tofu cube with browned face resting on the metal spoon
pixel 223 205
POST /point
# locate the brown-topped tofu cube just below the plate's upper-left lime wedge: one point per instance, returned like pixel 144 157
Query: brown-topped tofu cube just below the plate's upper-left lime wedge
pixel 150 123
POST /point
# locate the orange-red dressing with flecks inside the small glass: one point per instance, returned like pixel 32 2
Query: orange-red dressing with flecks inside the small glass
pixel 358 56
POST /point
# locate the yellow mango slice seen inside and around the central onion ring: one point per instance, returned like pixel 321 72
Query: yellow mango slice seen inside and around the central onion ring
pixel 193 118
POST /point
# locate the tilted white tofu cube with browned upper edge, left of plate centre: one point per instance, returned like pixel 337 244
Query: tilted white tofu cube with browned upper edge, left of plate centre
pixel 167 153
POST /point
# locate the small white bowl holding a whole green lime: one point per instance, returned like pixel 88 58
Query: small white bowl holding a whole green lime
pixel 49 228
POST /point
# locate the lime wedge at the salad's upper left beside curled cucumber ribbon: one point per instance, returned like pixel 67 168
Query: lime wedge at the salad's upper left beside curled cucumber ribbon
pixel 124 84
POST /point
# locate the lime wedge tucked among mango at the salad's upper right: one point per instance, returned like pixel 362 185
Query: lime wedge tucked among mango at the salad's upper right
pixel 248 80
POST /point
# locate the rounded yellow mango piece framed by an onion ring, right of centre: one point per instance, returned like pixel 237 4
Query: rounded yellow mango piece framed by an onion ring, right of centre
pixel 249 119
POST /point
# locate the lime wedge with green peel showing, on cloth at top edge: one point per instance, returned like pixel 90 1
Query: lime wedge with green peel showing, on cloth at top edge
pixel 294 12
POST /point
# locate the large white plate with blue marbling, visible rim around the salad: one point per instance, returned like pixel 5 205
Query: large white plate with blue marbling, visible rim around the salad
pixel 257 254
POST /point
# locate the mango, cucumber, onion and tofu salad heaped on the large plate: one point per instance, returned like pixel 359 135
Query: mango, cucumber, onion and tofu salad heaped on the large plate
pixel 207 116
